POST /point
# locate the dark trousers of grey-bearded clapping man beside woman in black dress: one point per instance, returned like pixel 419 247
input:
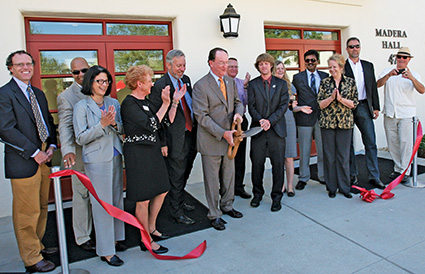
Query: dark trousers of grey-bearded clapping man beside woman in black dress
pixel 177 168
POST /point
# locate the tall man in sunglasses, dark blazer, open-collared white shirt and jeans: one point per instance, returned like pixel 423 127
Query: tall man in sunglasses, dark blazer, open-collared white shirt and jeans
pixel 366 111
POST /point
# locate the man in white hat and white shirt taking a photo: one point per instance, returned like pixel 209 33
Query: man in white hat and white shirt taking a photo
pixel 399 108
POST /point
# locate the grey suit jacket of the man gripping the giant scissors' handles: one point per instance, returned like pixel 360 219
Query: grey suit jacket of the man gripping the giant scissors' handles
pixel 214 114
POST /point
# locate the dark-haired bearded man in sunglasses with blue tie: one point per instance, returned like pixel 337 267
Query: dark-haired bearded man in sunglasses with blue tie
pixel 307 84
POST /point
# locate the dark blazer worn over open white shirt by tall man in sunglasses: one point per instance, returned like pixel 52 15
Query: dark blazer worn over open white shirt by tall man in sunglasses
pixel 370 84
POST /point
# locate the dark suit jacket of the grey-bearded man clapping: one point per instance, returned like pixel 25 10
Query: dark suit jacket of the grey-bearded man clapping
pixel 172 135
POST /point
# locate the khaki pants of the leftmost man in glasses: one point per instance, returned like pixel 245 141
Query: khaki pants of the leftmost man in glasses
pixel 30 198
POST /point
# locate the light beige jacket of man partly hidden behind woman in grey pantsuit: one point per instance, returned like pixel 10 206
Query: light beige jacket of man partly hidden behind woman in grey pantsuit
pixel 66 102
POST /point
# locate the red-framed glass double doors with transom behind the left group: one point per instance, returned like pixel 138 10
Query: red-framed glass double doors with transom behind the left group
pixel 113 44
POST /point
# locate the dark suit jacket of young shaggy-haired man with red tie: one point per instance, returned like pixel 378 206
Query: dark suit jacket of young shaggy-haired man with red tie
pixel 257 103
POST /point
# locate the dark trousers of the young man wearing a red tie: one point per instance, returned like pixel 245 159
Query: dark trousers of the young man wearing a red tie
pixel 269 144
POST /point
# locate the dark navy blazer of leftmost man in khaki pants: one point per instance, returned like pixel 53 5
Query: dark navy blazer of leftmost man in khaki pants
pixel 18 127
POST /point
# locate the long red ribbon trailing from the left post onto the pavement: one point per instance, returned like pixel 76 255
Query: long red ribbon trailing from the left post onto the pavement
pixel 128 218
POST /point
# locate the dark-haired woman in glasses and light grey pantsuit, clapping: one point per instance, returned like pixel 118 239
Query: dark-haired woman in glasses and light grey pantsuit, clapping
pixel 98 129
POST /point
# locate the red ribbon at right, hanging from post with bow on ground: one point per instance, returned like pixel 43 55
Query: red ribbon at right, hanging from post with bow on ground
pixel 370 195
